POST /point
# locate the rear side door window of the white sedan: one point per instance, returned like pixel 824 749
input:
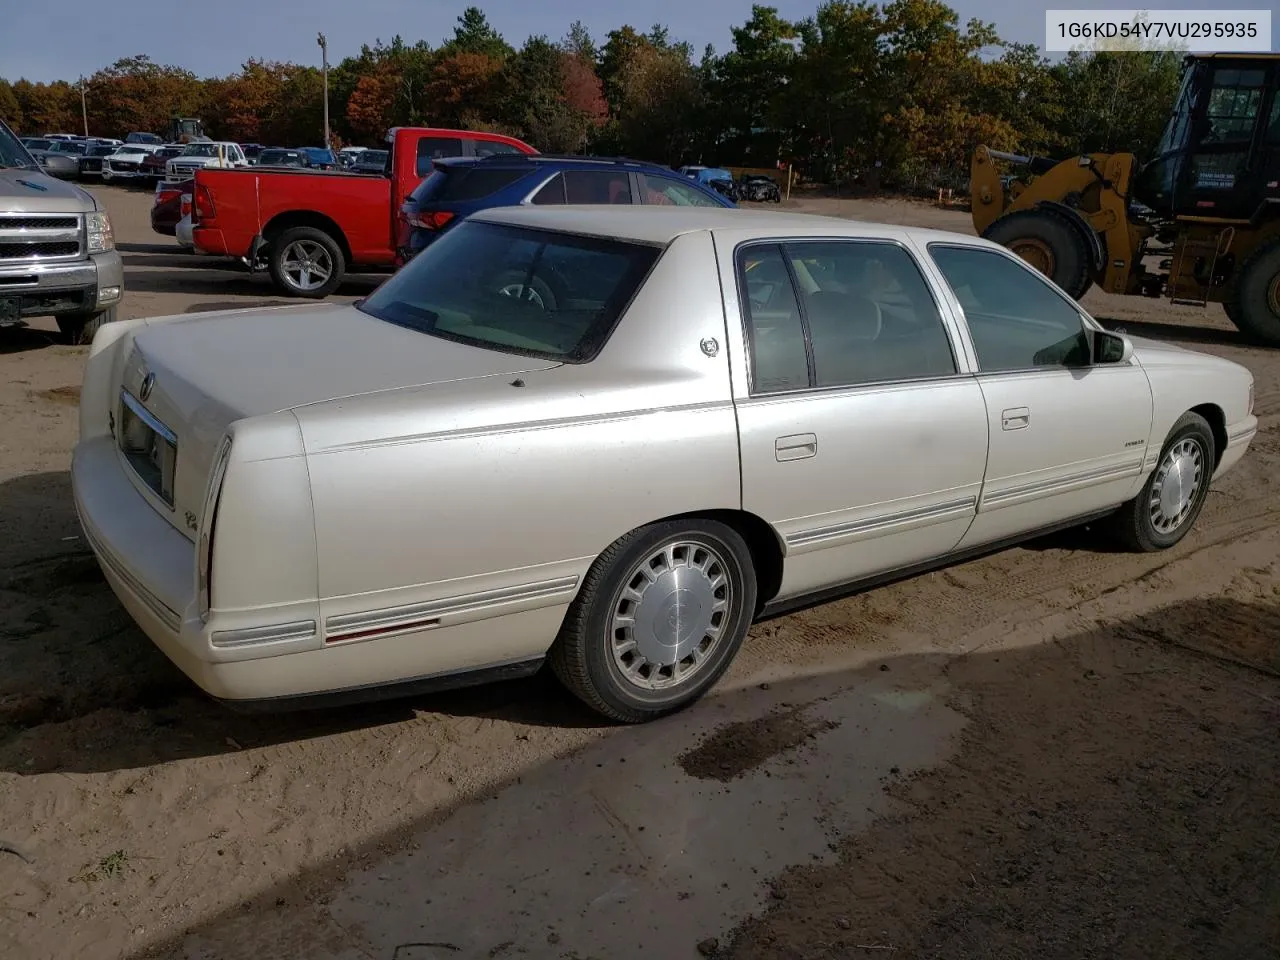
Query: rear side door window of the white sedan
pixel 865 316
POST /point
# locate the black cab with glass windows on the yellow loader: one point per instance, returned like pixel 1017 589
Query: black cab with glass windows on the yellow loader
pixel 1219 158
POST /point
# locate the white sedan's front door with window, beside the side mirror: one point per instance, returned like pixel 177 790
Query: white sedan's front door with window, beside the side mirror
pixel 1069 436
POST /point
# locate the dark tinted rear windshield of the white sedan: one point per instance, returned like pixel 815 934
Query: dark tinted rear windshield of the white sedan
pixel 515 290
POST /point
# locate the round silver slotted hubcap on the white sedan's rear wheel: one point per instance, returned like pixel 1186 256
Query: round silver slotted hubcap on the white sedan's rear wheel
pixel 671 615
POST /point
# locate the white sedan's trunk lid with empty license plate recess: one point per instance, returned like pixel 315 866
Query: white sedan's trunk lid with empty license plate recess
pixel 186 381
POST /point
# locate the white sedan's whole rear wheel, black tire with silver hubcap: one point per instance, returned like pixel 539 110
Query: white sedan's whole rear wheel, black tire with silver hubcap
pixel 661 615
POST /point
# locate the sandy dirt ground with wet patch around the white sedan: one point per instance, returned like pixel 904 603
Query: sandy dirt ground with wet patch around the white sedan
pixel 1054 752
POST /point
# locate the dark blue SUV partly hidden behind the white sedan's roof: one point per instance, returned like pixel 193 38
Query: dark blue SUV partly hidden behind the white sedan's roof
pixel 461 186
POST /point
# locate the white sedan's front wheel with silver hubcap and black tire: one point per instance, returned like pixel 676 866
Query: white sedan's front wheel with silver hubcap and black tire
pixel 1167 508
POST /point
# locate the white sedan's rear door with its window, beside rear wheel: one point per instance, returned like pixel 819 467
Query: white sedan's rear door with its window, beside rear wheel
pixel 863 437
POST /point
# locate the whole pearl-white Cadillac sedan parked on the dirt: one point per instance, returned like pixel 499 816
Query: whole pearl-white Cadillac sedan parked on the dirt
pixel 611 438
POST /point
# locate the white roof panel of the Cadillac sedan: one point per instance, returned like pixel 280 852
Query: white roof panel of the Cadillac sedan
pixel 662 223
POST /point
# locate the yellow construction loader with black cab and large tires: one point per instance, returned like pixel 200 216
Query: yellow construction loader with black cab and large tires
pixel 1208 204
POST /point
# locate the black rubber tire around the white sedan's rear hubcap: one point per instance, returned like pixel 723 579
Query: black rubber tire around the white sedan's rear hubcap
pixel 583 656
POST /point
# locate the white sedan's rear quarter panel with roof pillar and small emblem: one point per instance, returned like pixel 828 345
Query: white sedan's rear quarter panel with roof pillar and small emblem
pixel 441 492
